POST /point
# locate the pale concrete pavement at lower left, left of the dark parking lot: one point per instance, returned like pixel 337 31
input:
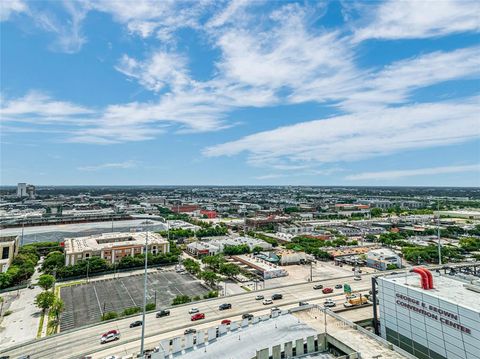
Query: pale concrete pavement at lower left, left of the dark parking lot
pixel 22 324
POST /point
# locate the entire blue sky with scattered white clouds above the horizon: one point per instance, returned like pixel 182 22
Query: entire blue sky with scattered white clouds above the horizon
pixel 240 92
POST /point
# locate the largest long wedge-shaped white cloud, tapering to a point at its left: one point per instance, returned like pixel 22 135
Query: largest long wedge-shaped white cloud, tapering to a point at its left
pixel 361 135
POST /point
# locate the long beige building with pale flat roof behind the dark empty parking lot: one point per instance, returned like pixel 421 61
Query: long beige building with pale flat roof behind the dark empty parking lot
pixel 113 246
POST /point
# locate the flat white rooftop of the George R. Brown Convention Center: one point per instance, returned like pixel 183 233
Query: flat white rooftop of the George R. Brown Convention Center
pixel 445 288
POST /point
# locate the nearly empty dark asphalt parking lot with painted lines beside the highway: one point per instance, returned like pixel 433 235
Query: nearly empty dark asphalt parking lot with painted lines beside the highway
pixel 85 303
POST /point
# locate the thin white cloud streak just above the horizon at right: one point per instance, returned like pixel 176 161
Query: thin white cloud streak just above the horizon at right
pixel 393 175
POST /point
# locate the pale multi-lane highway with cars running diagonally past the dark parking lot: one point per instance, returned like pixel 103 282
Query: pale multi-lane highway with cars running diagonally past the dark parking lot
pixel 86 341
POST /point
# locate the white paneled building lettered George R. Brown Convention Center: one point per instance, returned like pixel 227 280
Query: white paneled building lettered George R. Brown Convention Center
pixel 438 323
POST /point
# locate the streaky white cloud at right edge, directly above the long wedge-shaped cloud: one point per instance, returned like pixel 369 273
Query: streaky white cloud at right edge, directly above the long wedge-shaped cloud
pixel 356 90
